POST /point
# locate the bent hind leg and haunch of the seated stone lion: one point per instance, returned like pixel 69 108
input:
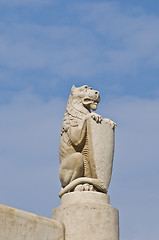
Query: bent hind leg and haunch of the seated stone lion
pixel 71 168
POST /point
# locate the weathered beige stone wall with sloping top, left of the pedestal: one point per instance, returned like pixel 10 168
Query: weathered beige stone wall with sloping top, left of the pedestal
pixel 19 225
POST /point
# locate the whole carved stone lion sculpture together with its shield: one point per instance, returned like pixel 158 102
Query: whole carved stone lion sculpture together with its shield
pixel 86 144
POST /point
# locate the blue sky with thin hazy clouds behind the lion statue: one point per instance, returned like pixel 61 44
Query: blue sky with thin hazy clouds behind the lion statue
pixel 46 46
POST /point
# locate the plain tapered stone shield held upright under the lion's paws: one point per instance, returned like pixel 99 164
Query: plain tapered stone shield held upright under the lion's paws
pixel 101 149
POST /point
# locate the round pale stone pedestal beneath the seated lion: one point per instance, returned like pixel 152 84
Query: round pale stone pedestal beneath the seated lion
pixel 88 216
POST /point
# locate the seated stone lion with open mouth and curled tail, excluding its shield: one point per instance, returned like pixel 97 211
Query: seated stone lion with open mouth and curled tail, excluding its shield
pixel 77 170
